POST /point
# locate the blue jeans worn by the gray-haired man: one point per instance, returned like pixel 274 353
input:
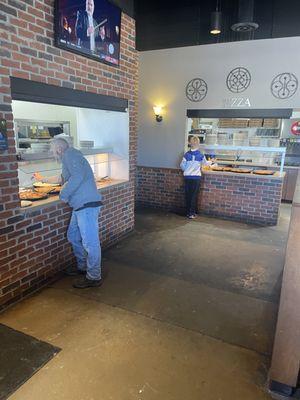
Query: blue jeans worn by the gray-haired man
pixel 83 234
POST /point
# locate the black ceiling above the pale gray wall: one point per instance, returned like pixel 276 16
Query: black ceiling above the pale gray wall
pixel 166 24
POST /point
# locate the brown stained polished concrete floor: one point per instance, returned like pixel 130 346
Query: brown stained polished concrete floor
pixel 187 312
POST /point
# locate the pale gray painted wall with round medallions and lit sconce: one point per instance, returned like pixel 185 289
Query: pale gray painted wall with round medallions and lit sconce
pixel 165 73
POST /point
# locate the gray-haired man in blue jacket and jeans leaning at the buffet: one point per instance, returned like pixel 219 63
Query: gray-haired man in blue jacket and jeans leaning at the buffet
pixel 80 192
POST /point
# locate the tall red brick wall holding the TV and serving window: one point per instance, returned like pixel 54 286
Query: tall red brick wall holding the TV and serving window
pixel 33 246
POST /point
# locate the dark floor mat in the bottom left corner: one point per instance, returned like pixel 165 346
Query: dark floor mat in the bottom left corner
pixel 21 356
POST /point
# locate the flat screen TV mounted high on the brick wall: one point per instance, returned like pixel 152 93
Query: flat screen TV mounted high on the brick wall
pixel 89 27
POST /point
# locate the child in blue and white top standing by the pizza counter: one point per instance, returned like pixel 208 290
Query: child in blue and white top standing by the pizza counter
pixel 191 167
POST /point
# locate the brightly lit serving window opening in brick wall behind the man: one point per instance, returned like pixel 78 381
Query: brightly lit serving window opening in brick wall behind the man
pixel 102 136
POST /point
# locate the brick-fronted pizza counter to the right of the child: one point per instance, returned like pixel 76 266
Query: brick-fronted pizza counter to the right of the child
pixel 244 197
